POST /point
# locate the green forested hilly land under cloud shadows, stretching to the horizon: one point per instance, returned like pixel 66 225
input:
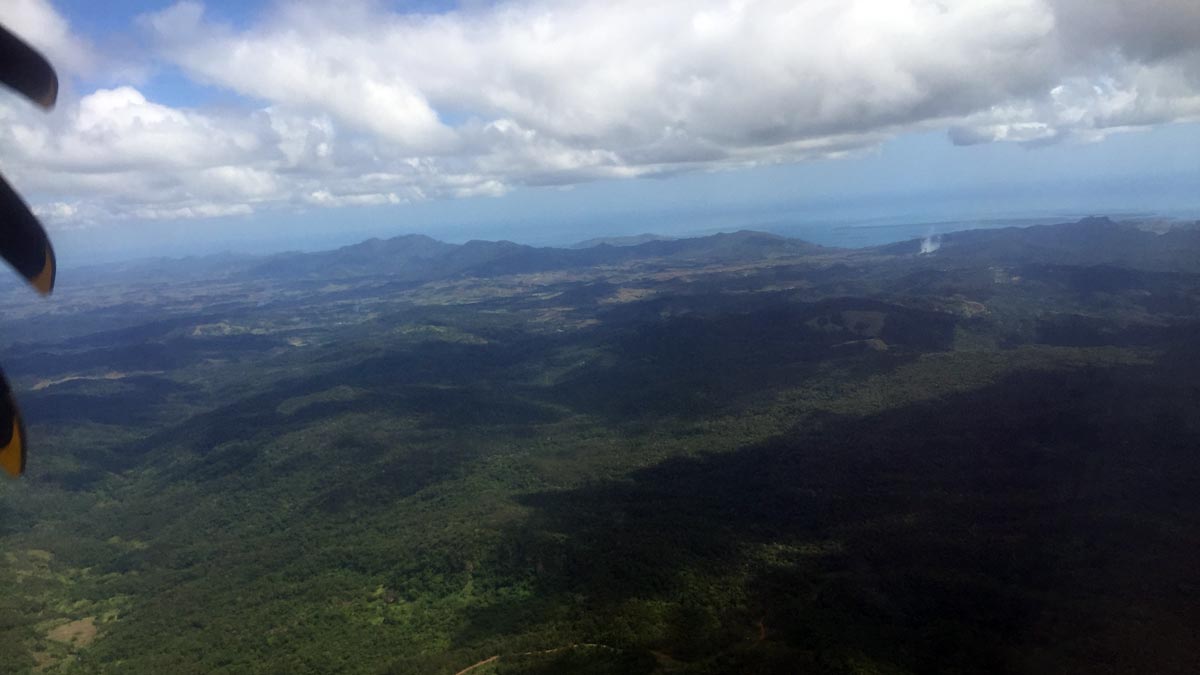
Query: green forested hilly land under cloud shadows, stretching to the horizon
pixel 741 453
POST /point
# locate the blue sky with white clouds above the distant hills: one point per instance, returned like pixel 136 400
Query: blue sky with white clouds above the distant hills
pixel 193 128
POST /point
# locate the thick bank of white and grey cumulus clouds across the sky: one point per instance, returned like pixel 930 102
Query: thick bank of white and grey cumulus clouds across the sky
pixel 357 105
